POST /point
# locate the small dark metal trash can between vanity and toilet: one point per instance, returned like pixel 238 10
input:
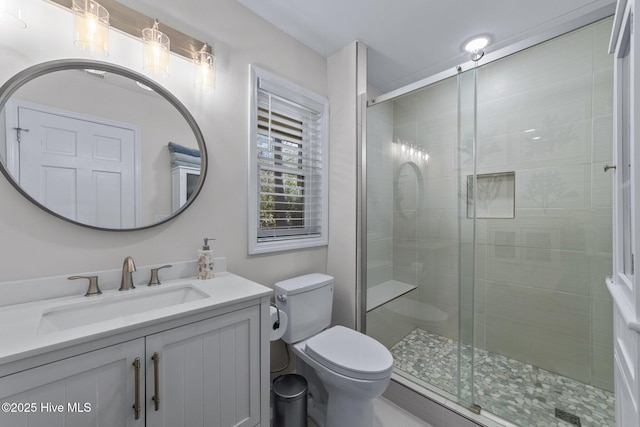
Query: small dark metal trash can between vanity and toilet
pixel 290 401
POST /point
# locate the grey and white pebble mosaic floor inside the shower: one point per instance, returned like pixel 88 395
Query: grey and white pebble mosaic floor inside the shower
pixel 518 392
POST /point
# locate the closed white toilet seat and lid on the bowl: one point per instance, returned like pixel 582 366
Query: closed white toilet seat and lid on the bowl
pixel 350 353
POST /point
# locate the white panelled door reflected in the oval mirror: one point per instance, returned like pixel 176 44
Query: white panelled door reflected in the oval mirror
pixel 82 167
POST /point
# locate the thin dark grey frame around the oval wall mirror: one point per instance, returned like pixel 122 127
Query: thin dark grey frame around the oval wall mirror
pixel 35 71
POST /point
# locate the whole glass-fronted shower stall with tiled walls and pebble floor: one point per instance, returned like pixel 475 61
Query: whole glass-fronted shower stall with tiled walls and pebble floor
pixel 489 233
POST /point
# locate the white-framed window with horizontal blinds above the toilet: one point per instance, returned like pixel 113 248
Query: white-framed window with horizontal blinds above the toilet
pixel 288 165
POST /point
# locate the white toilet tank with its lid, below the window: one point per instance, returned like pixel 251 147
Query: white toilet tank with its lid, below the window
pixel 307 300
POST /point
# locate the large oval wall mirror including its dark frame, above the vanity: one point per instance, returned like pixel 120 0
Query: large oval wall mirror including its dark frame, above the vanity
pixel 99 145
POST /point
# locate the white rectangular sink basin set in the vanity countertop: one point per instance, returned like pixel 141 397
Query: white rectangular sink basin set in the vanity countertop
pixel 102 308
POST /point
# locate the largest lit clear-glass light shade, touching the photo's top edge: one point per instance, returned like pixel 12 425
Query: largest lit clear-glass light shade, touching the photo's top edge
pixel 91 26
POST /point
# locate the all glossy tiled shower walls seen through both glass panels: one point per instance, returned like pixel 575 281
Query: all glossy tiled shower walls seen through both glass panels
pixel 543 242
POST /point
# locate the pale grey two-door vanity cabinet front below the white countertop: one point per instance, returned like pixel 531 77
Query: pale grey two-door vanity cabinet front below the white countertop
pixel 203 373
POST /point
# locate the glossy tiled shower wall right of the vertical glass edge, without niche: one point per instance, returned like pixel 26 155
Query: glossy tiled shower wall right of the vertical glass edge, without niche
pixel 540 294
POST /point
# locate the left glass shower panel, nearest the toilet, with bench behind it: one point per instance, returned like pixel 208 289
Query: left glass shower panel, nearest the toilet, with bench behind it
pixel 420 236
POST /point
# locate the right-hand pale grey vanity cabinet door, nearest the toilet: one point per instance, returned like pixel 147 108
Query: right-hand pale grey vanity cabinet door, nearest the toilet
pixel 208 373
